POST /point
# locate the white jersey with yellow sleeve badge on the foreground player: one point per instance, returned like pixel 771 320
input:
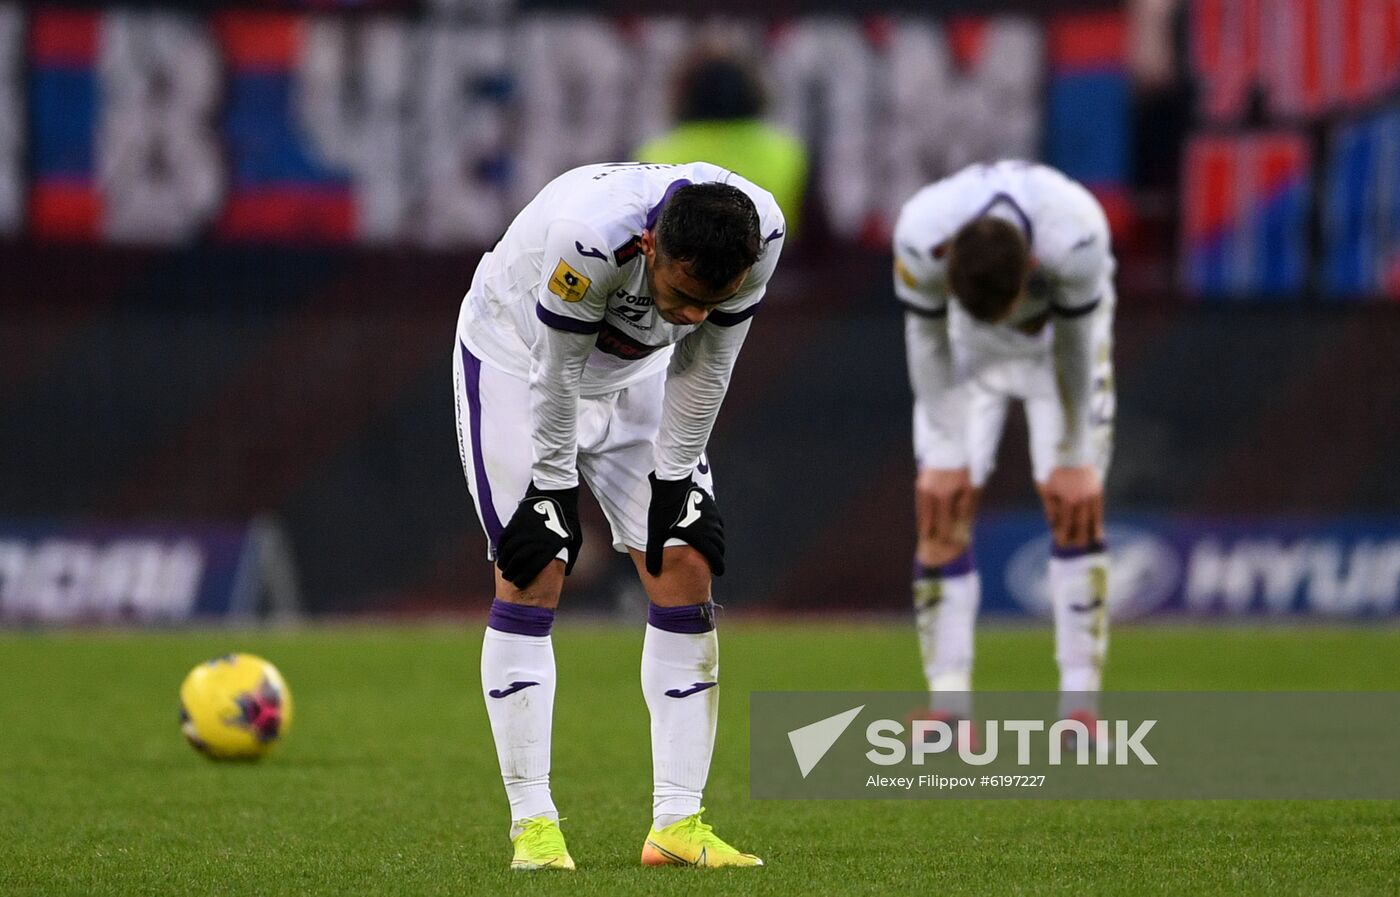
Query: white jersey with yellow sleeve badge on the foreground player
pixel 570 265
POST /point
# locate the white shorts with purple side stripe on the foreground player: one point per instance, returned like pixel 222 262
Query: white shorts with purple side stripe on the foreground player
pixel 617 448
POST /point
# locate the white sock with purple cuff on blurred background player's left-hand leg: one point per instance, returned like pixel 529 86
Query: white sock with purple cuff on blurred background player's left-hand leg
pixel 946 616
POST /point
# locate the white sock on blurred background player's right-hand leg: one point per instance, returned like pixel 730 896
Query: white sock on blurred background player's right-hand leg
pixel 1079 594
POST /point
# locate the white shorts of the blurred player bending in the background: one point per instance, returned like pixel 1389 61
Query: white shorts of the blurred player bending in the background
pixel 1030 379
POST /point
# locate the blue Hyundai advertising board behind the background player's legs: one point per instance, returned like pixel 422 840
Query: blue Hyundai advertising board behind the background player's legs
pixel 1212 567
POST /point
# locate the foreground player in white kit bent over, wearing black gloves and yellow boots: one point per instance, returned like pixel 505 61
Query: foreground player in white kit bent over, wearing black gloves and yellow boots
pixel 597 344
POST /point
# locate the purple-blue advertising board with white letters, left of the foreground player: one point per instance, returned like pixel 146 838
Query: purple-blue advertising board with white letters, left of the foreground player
pixel 57 573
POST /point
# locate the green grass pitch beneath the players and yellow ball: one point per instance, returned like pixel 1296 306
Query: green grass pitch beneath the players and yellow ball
pixel 388 784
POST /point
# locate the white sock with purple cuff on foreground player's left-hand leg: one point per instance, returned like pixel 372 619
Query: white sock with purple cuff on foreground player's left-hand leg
pixel 519 688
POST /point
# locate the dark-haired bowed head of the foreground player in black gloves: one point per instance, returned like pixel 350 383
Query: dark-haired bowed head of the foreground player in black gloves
pixel 701 251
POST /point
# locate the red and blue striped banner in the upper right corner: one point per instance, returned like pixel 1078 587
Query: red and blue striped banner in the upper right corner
pixel 1297 107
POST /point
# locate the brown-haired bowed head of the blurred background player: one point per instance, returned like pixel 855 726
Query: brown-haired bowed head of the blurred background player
pixel 988 267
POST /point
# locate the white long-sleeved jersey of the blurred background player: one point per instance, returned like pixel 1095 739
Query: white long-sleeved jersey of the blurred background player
pixel 1062 325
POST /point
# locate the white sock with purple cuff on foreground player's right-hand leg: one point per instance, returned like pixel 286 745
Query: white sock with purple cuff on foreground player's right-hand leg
pixel 680 679
